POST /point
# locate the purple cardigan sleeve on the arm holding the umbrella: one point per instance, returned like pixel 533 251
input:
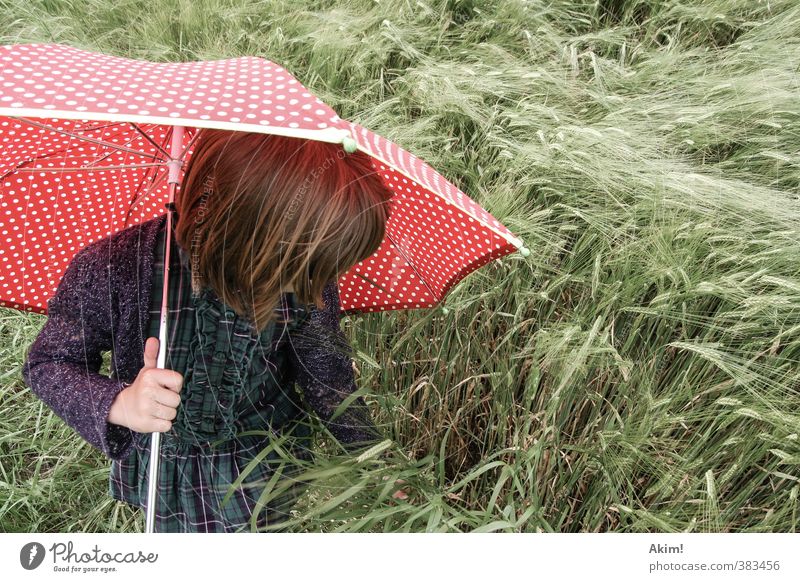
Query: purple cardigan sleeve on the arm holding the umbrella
pixel 62 365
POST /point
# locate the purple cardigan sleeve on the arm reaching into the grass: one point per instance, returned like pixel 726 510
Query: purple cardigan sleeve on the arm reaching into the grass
pixel 321 356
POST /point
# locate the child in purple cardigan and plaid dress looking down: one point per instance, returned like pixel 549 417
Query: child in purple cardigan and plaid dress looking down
pixel 263 226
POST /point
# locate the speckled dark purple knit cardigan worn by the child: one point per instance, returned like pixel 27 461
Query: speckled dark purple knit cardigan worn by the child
pixel 102 303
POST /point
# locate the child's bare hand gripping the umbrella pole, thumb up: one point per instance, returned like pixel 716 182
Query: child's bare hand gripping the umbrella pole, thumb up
pixel 150 403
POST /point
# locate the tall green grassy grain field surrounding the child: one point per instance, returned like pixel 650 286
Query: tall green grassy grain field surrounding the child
pixel 637 372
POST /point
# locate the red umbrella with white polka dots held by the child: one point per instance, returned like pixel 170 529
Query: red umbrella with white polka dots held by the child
pixel 93 143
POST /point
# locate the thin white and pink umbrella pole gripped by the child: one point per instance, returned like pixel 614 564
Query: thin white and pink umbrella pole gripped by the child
pixel 155 443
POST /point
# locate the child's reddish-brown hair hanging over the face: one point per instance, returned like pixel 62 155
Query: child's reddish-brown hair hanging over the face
pixel 259 212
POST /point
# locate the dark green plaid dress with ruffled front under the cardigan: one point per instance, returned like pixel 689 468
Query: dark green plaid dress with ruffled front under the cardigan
pixel 234 405
